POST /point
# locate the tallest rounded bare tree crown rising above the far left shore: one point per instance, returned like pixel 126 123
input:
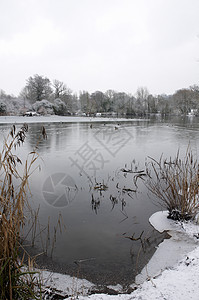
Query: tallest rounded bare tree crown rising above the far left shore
pixel 37 88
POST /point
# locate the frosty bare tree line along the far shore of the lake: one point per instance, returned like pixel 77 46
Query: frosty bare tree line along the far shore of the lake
pixel 44 96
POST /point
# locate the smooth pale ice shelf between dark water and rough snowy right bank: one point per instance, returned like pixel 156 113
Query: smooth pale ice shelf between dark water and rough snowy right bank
pixel 170 251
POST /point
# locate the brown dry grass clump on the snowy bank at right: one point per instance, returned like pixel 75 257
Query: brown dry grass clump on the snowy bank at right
pixel 175 184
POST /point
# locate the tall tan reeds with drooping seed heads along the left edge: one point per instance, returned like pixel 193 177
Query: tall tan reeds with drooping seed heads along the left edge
pixel 16 282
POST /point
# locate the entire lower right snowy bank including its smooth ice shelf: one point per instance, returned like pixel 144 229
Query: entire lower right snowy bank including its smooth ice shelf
pixel 168 276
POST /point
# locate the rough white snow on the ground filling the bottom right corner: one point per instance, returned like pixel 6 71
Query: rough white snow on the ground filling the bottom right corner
pixel 180 282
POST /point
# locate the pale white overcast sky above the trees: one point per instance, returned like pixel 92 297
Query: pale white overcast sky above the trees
pixel 100 44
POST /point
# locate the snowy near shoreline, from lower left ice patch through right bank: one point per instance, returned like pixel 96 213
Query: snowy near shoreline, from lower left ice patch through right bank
pixel 171 273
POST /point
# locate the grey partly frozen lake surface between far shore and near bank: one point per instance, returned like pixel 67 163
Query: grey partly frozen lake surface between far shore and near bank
pixel 81 179
